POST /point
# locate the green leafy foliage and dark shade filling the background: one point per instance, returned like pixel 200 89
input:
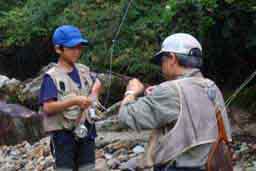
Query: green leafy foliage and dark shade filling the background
pixel 225 28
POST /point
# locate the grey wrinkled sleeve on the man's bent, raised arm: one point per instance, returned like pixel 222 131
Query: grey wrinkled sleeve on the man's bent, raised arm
pixel 154 110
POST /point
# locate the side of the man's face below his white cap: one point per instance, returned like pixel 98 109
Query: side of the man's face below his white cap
pixel 168 66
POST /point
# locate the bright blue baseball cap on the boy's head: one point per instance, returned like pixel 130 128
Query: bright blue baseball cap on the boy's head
pixel 68 36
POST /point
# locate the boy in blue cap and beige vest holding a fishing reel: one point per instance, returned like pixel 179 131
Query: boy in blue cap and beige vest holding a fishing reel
pixel 65 97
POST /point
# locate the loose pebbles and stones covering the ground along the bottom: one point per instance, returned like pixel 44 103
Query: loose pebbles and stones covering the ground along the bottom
pixel 113 149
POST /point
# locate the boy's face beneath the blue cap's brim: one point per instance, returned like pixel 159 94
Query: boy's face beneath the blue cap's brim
pixel 70 55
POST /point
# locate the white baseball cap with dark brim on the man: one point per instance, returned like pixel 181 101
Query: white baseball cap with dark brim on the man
pixel 180 43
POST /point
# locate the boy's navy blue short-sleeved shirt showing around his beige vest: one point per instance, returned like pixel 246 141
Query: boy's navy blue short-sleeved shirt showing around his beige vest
pixel 48 91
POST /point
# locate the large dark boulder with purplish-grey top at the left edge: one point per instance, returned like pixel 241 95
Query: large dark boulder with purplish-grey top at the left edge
pixel 18 123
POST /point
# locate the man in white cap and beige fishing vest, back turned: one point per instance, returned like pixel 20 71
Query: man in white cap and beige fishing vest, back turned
pixel 181 110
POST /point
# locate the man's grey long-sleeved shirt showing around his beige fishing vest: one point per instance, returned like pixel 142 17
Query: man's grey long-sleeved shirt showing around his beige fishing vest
pixel 163 107
